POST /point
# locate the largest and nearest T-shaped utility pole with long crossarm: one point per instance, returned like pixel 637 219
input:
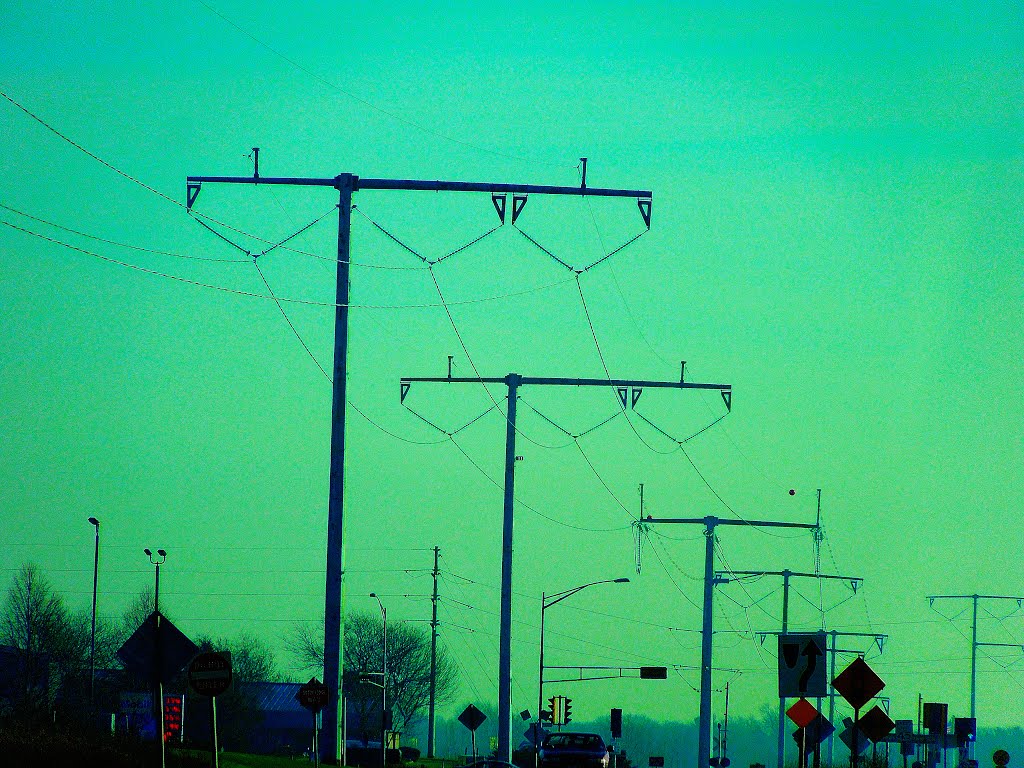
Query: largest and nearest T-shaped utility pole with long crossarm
pixel 347 185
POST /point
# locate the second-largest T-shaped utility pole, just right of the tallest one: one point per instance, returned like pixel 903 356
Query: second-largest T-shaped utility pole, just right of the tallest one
pixel 514 382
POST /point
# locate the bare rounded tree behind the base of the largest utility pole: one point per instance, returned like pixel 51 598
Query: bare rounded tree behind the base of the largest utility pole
pixel 408 665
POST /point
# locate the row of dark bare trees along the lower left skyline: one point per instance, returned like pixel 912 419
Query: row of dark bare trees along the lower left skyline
pixel 46 670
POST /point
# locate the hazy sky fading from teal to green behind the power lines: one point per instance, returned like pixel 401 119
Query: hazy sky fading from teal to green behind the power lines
pixel 837 233
